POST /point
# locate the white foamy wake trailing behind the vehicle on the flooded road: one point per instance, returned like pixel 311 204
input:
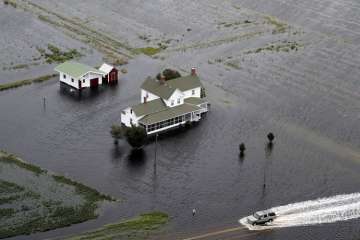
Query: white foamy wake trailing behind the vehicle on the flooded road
pixel 323 210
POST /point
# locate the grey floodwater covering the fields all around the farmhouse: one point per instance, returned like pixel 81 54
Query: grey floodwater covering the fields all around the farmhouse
pixel 287 67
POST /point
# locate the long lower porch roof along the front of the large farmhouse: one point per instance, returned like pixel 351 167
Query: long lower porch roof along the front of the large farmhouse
pixel 168 114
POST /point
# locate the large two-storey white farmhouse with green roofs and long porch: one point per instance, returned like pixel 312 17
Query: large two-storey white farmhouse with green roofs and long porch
pixel 167 104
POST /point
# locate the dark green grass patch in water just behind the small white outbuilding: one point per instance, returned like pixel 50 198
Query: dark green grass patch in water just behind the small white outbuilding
pixel 53 54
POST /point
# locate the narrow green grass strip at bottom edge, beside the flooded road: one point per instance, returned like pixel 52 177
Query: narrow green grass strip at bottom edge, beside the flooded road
pixel 133 229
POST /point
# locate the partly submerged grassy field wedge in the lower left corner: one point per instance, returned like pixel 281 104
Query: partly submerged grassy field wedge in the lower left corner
pixel 32 199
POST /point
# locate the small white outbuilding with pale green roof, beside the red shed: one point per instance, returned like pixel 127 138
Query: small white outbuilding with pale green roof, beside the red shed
pixel 79 76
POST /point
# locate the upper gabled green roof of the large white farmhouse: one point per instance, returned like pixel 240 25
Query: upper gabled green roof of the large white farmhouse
pixel 166 90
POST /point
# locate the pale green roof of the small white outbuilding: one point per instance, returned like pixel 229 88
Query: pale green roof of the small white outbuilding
pixel 76 69
